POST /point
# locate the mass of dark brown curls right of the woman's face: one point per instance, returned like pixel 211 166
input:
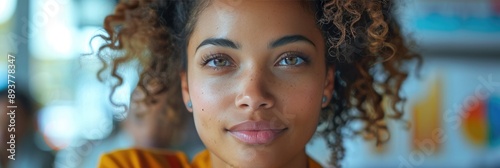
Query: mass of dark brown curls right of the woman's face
pixel 369 53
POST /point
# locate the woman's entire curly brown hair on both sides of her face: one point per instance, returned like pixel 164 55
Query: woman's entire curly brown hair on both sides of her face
pixel 363 43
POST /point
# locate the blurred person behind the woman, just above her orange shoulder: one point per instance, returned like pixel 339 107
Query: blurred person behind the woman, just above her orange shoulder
pixel 154 124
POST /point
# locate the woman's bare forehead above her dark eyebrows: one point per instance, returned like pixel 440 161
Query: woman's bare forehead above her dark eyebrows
pixel 237 18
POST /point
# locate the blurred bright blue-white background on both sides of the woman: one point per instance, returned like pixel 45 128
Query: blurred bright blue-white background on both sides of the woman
pixel 66 119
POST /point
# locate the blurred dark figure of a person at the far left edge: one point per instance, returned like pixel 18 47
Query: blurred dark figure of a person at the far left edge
pixel 27 150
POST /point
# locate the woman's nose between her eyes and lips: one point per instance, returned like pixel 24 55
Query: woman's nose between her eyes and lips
pixel 254 92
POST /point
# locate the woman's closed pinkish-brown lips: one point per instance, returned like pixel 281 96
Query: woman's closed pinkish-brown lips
pixel 256 132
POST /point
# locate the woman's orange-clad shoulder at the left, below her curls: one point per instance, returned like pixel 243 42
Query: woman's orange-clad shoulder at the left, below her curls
pixel 143 158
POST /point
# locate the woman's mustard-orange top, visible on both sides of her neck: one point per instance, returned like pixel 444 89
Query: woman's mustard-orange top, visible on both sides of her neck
pixel 160 158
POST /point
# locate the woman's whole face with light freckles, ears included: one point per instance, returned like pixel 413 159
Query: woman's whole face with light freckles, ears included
pixel 256 76
